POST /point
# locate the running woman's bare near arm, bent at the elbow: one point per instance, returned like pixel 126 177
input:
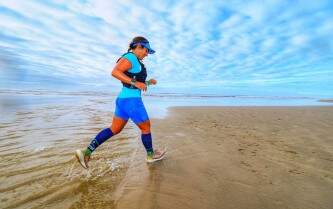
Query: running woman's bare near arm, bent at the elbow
pixel 122 66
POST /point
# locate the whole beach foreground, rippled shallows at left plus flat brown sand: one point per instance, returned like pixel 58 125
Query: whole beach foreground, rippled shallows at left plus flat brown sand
pixel 218 157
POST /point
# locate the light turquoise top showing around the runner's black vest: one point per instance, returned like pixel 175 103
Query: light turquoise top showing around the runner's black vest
pixel 136 67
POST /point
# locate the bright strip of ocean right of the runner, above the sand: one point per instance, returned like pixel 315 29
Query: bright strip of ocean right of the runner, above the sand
pixel 157 105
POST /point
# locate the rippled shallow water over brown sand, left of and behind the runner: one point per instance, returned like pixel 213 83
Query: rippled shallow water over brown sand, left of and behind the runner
pixel 38 168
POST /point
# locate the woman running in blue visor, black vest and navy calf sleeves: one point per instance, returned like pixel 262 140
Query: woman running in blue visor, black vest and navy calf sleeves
pixel 132 73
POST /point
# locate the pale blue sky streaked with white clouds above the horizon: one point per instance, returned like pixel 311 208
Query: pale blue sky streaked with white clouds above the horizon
pixel 208 47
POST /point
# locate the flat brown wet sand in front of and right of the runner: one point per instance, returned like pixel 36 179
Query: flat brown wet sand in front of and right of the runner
pixel 236 157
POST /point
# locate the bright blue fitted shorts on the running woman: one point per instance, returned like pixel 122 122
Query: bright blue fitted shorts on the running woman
pixel 131 108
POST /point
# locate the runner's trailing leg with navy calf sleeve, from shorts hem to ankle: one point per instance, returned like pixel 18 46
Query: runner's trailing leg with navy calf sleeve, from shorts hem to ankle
pixel 116 126
